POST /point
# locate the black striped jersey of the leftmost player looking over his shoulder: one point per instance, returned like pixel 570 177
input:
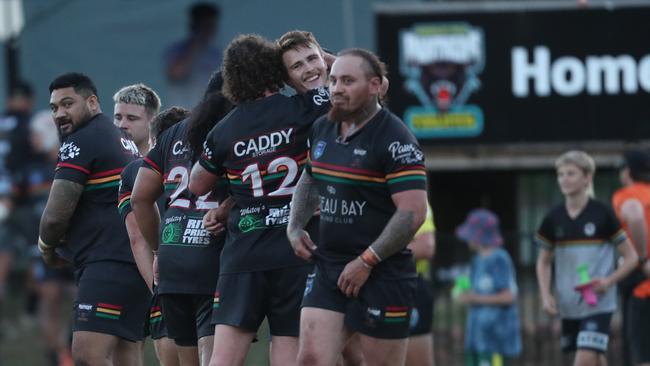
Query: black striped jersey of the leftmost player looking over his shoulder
pixel 94 156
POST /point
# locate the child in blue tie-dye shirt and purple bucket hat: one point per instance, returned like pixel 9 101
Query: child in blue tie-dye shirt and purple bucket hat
pixel 492 335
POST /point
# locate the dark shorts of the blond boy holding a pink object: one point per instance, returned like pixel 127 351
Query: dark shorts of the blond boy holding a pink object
pixel 588 333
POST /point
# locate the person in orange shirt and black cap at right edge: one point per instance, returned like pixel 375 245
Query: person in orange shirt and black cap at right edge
pixel 632 205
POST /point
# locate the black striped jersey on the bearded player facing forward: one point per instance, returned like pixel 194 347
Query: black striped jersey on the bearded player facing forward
pixel 356 179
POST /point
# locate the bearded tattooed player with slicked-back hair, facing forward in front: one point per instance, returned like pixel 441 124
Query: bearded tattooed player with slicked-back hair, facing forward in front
pixel 367 176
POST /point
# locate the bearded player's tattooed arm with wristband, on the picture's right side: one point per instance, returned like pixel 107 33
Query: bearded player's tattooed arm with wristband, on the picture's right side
pixel 407 219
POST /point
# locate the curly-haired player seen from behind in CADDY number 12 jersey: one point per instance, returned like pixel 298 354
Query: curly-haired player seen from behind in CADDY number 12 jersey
pixel 260 146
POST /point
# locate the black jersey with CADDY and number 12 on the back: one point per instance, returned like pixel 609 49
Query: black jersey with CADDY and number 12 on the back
pixel 261 147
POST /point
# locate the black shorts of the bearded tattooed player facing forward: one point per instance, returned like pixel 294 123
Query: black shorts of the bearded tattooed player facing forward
pixel 382 309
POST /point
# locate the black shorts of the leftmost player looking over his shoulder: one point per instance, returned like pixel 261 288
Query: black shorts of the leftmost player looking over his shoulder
pixel 112 299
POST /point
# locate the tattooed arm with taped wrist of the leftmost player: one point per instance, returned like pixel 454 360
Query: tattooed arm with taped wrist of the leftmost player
pixel 61 204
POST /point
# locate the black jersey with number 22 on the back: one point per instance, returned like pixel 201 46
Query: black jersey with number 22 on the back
pixel 188 256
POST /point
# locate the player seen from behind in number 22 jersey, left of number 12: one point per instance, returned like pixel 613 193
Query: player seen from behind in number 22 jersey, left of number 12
pixel 188 256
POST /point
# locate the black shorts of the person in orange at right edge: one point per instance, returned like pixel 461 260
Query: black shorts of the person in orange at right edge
pixel 639 329
